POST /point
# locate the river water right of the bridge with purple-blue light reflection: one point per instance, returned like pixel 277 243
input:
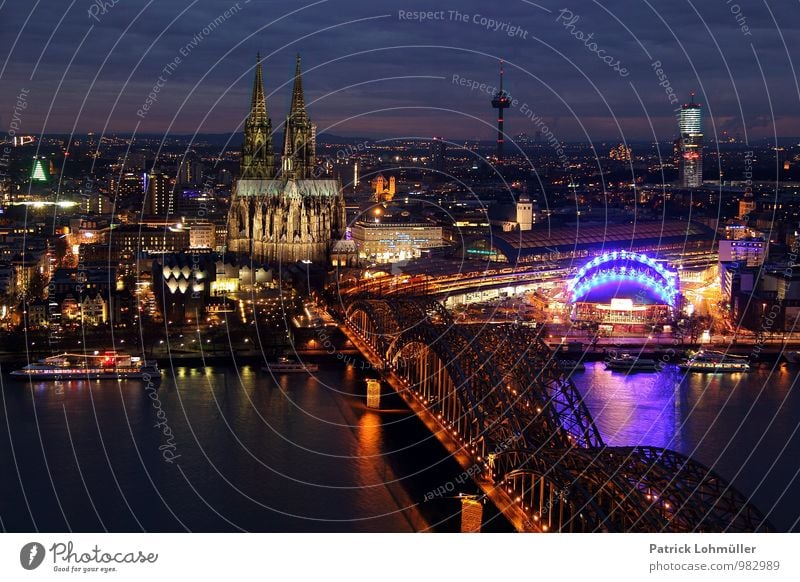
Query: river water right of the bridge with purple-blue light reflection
pixel 745 426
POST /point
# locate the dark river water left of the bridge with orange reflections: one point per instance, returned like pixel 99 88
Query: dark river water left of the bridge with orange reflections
pixel 256 451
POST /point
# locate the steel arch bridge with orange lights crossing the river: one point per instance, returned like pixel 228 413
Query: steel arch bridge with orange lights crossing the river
pixel 497 392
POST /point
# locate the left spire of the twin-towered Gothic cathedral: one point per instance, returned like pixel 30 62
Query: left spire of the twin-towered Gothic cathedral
pixel 258 160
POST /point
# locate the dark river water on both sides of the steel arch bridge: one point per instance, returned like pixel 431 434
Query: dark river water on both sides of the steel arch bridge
pixel 229 448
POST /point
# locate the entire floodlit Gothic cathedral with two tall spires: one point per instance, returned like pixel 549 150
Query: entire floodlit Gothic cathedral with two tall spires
pixel 286 215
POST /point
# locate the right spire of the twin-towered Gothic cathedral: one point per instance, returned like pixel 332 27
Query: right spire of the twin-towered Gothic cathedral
pixel 299 143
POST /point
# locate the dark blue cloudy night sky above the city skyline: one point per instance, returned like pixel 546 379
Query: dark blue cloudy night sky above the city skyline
pixel 374 71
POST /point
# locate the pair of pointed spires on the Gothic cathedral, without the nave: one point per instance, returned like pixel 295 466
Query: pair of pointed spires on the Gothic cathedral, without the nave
pixel 258 160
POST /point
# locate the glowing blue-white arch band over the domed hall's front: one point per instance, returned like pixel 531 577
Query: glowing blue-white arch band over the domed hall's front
pixel 622 266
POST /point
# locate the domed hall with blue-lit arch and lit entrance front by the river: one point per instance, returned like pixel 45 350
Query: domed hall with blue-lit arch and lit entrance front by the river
pixel 624 287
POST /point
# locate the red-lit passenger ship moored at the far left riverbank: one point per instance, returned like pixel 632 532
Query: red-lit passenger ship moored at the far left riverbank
pixel 106 366
